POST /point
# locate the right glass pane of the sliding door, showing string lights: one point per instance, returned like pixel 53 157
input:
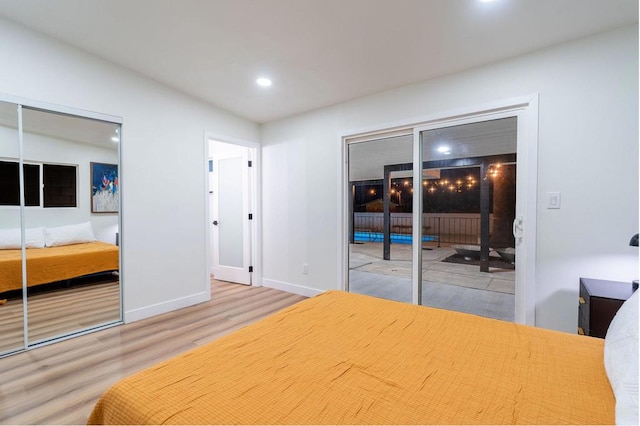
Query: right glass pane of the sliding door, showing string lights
pixel 468 207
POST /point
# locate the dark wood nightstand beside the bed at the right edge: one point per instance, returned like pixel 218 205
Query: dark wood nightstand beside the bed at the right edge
pixel 599 302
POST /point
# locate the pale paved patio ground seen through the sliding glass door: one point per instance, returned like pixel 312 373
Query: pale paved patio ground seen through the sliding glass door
pixel 453 286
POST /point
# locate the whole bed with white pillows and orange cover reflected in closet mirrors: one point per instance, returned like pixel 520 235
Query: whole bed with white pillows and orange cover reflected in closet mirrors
pixel 65 253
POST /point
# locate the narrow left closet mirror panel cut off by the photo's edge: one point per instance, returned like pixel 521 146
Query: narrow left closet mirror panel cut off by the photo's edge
pixel 11 296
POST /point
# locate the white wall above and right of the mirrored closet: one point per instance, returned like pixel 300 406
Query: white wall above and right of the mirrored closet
pixel 163 168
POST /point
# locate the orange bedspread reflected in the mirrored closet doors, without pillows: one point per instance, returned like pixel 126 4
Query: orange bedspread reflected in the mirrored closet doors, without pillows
pixel 52 264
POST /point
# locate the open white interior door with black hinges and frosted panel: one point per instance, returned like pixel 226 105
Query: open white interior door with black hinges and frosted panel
pixel 230 208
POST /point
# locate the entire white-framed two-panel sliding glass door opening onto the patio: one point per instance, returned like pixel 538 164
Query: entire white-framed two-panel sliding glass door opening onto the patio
pixel 501 141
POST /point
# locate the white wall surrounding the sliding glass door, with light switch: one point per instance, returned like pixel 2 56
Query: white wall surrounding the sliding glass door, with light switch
pixel 588 150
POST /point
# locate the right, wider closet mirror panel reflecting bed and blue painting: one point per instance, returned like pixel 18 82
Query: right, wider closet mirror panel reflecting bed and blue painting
pixel 73 279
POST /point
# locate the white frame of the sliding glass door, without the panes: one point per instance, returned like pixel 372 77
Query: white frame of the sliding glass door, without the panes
pixel 525 109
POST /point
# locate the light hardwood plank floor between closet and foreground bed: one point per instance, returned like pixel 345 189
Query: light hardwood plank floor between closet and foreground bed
pixel 60 383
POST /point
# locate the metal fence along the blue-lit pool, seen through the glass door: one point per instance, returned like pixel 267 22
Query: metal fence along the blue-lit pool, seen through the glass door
pixel 445 228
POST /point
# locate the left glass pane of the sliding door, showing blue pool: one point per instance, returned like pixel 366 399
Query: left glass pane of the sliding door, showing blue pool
pixel 381 206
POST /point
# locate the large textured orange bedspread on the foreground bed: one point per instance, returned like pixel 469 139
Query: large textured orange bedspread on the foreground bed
pixel 341 358
